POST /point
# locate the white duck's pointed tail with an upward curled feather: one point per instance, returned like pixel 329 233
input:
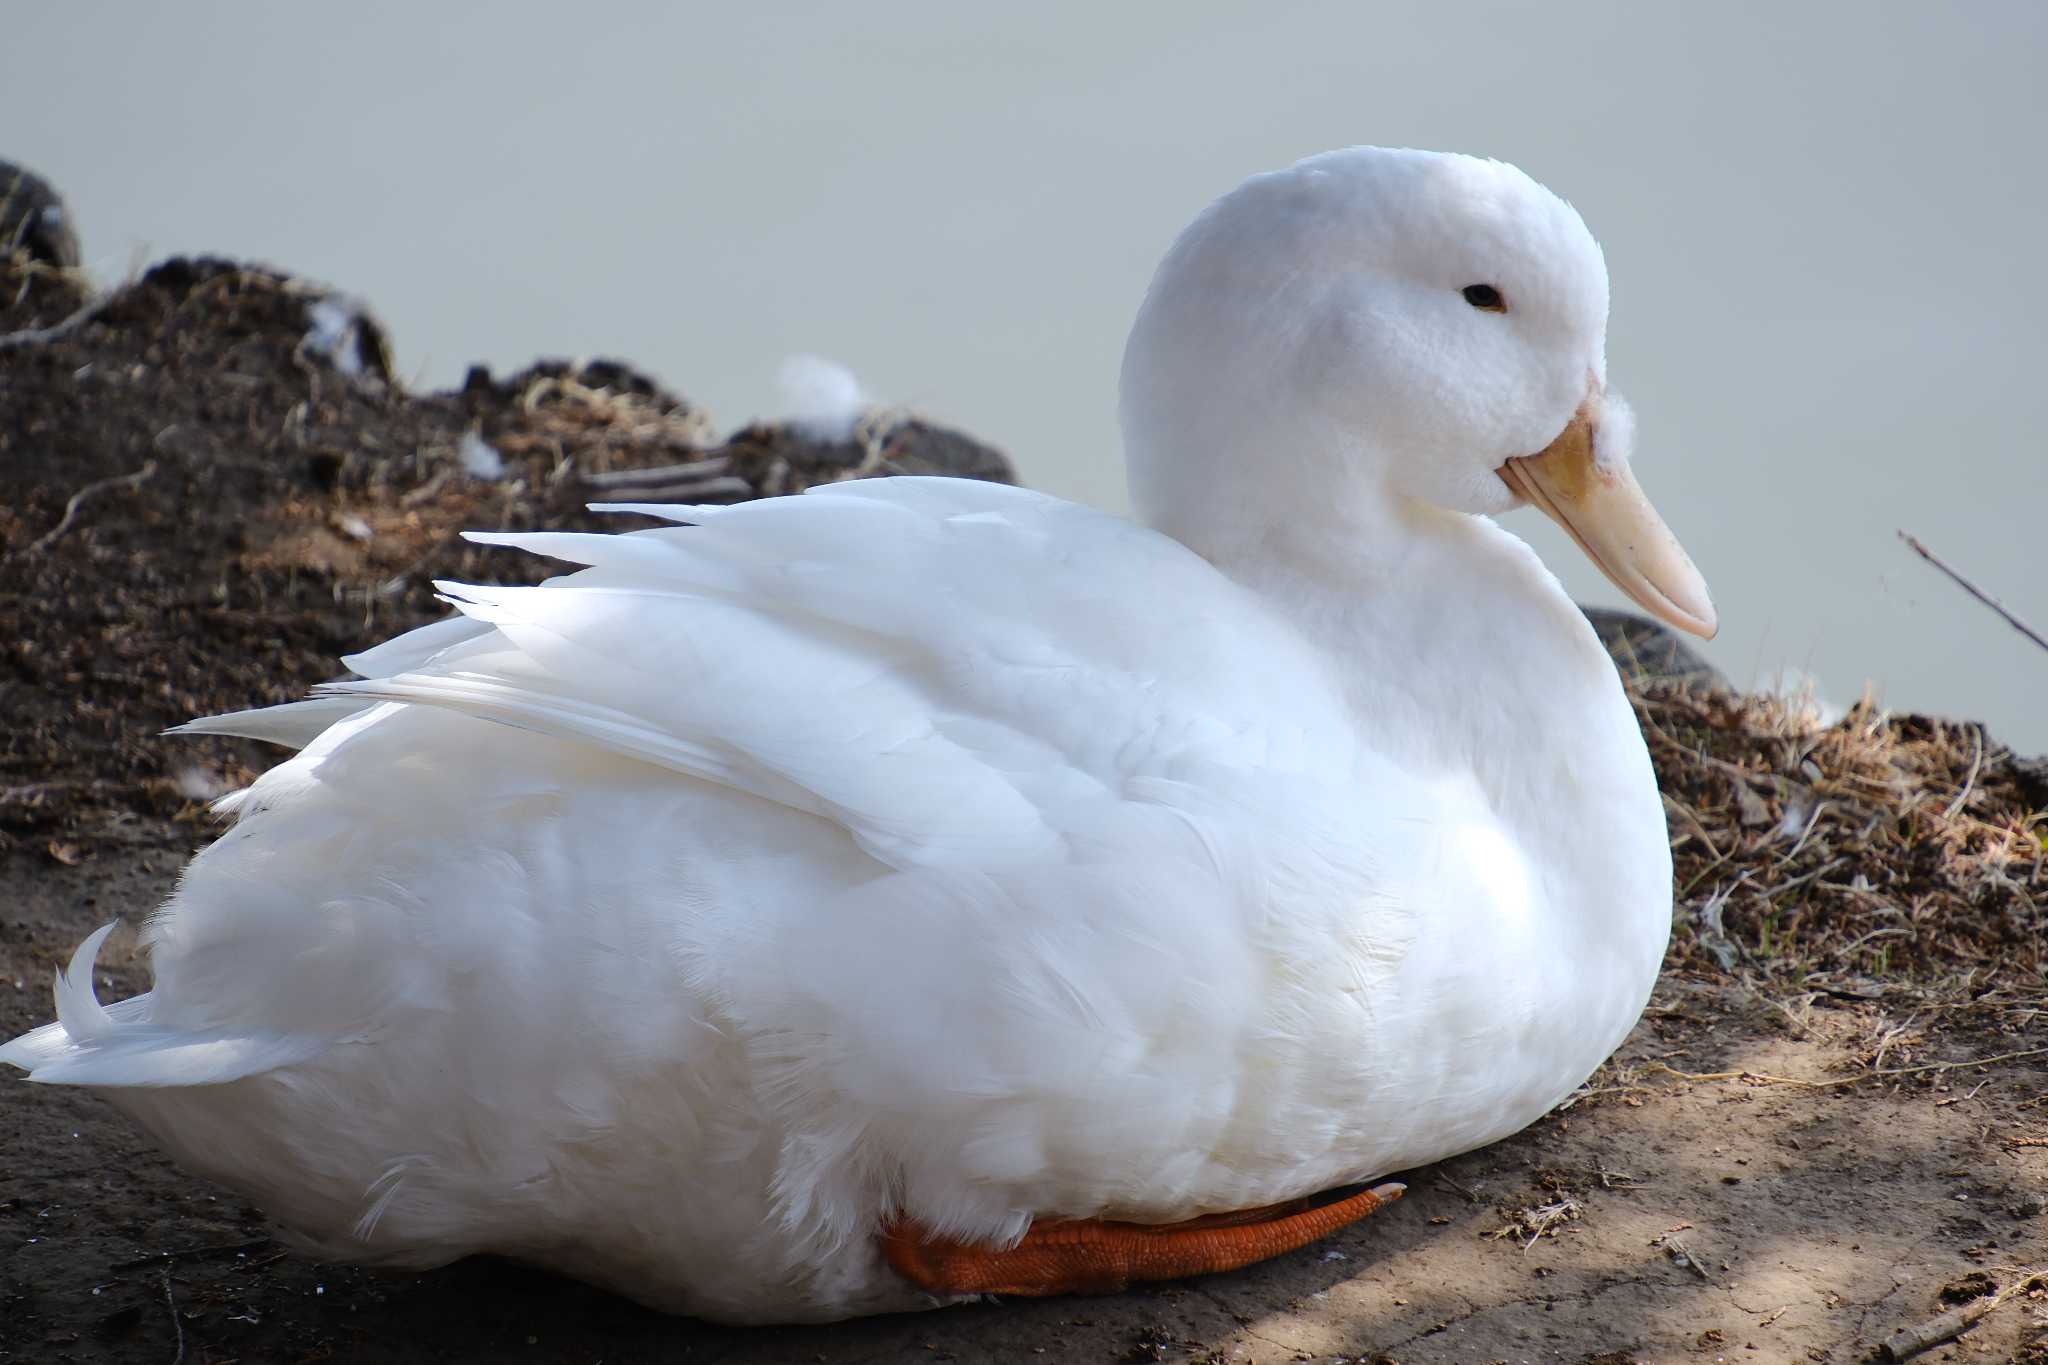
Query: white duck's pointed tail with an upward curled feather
pixel 124 1047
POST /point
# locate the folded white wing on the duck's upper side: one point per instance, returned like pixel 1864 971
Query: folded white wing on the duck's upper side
pixel 945 668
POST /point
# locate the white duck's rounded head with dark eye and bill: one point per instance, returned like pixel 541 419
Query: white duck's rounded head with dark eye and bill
pixel 1379 328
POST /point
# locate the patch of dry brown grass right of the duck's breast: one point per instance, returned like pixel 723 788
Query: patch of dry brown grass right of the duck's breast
pixel 1877 858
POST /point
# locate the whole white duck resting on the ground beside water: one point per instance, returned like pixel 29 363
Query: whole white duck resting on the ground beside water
pixel 847 904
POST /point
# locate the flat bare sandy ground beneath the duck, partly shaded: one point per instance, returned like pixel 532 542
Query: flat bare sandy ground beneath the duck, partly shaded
pixel 1654 1221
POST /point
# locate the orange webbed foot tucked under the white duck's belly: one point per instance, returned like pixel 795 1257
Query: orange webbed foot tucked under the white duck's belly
pixel 1093 1256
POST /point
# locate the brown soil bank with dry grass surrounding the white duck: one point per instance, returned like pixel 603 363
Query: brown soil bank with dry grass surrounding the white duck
pixel 1830 1125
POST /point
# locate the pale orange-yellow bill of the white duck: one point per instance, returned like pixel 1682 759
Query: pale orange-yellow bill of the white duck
pixel 1605 511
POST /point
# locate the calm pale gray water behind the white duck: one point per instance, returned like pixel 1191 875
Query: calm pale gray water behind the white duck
pixel 1824 226
